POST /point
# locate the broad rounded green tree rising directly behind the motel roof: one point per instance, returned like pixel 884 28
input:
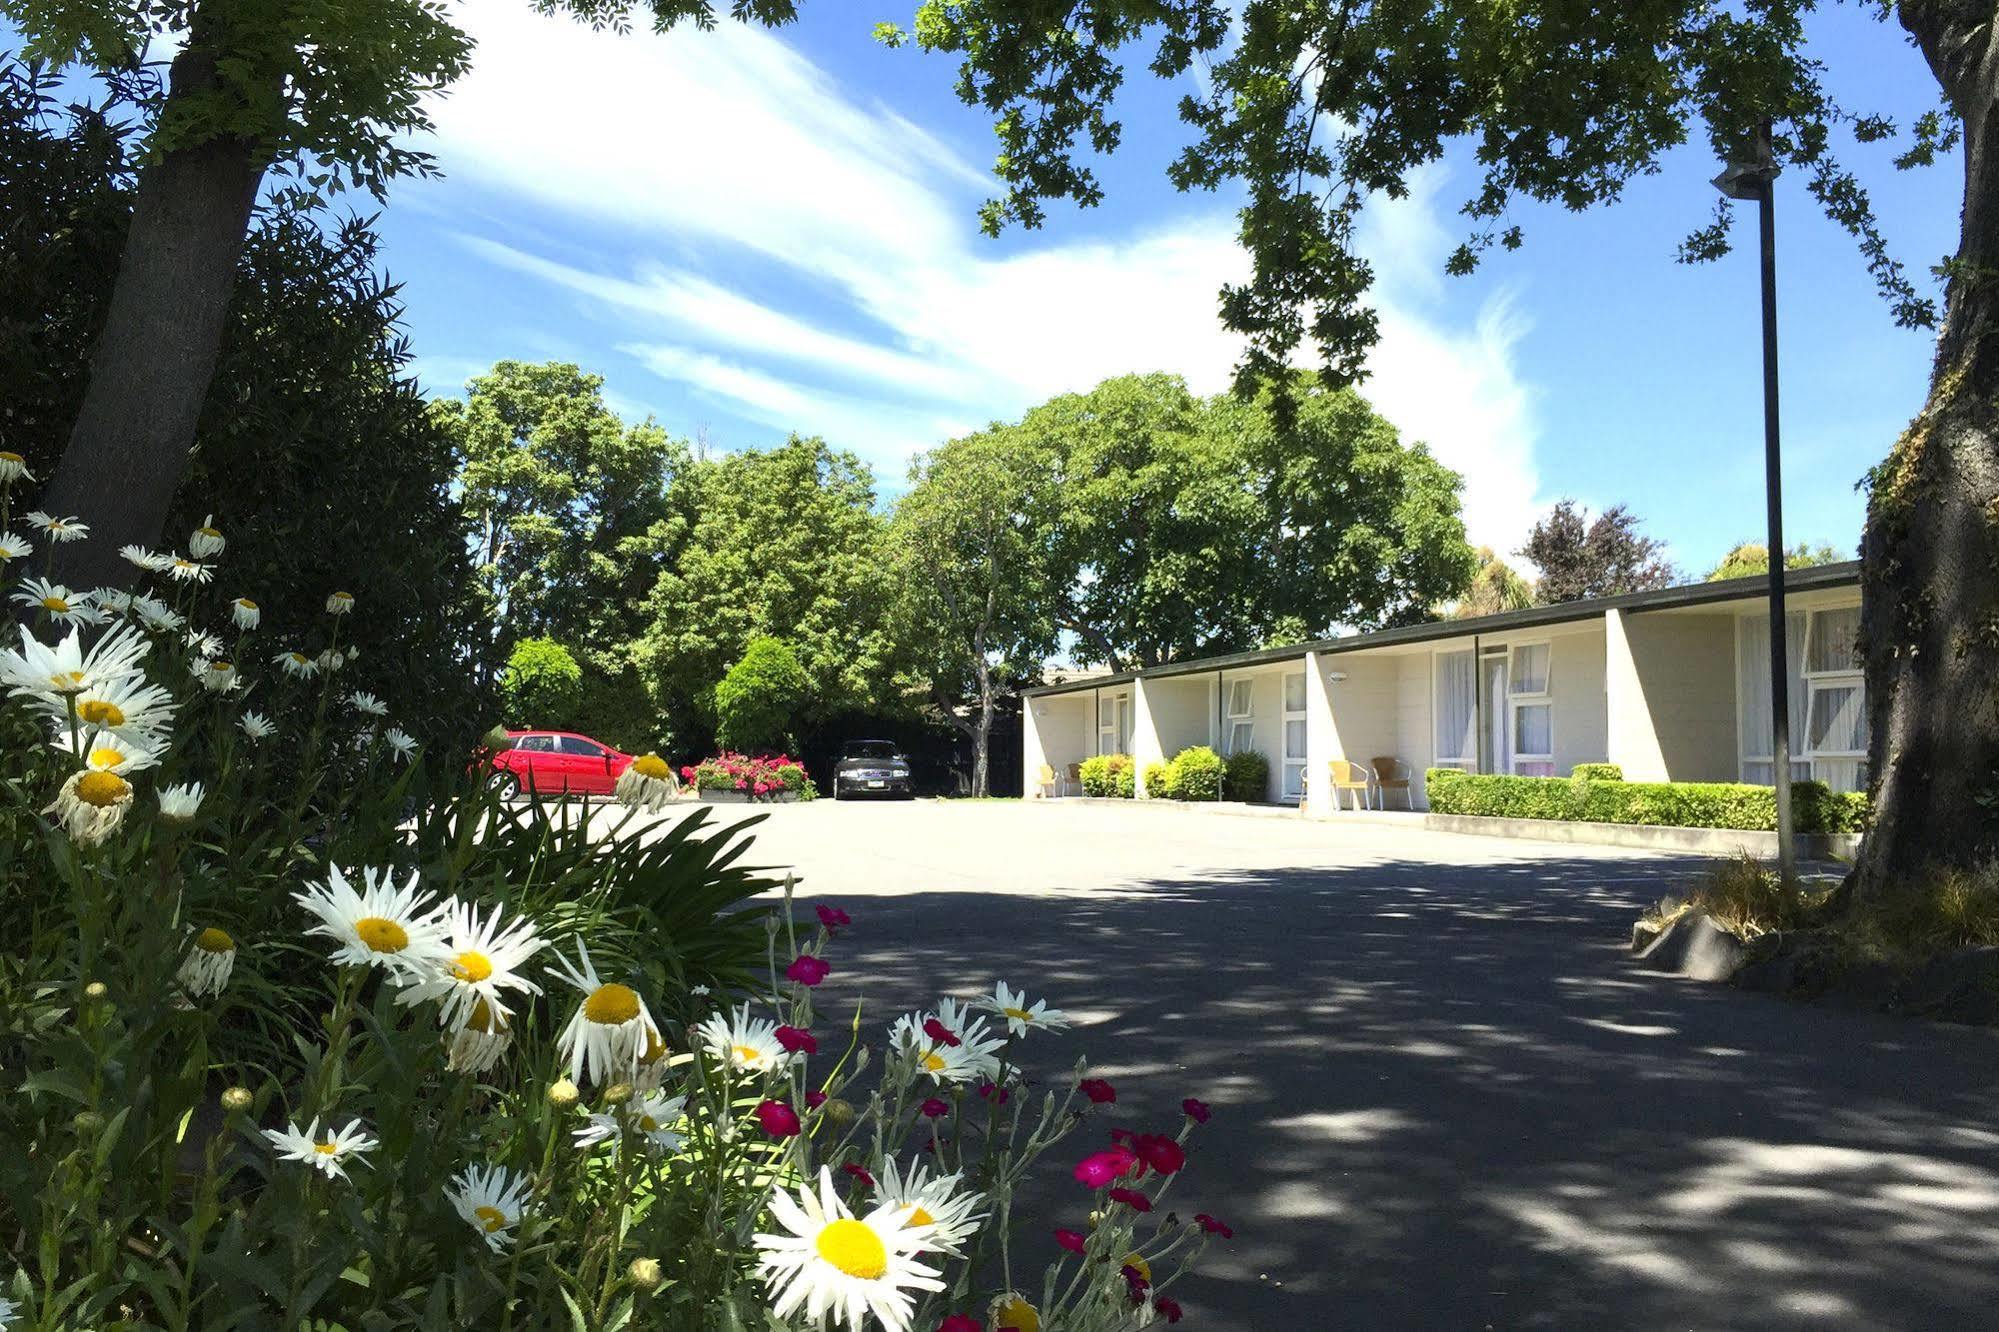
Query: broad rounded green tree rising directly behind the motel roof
pixel 1178 527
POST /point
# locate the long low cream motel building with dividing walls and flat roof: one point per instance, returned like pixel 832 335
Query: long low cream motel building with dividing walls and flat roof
pixel 1670 685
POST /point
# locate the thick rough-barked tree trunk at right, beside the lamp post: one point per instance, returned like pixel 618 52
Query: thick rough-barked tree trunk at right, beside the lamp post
pixel 1930 577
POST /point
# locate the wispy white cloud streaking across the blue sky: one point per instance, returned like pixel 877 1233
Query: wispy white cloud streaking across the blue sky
pixel 701 153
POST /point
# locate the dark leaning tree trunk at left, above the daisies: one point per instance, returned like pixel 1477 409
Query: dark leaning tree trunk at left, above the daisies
pixel 157 355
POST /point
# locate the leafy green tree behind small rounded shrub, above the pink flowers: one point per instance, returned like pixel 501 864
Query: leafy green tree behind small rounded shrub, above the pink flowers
pixel 781 541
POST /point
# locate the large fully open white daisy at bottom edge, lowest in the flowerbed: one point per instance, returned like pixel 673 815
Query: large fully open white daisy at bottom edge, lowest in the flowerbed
pixel 831 1263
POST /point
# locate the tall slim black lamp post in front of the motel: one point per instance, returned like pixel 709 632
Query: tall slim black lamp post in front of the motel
pixel 1746 181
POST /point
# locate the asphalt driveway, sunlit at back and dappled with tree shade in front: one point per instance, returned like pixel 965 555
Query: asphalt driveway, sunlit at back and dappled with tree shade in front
pixel 1444 1099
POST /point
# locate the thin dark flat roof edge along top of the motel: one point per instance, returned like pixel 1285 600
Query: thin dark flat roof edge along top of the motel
pixel 1848 573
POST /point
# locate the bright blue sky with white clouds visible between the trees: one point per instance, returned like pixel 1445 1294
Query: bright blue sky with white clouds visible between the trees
pixel 755 233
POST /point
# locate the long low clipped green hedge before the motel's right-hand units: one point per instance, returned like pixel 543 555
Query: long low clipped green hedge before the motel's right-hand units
pixel 1668 805
